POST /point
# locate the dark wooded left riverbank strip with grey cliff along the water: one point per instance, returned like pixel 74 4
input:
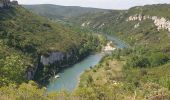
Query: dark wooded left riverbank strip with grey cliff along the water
pixel 53 61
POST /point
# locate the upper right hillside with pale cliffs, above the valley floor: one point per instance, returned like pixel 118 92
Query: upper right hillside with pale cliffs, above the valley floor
pixel 142 27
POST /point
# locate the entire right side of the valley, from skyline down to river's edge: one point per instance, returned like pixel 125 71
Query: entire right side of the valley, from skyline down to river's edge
pixel 140 71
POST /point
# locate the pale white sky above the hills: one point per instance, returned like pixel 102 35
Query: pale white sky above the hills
pixel 106 4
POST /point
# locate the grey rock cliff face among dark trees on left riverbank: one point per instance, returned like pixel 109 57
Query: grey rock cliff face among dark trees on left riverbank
pixel 52 58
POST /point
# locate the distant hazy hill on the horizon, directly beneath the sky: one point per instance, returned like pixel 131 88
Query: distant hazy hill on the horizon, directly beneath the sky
pixel 57 12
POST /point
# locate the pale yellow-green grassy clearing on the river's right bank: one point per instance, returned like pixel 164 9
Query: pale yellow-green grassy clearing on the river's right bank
pixel 107 71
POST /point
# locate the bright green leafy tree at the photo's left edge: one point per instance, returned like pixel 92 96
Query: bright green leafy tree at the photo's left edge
pixel 13 69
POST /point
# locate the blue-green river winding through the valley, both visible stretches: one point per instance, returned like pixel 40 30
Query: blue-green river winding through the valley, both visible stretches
pixel 69 77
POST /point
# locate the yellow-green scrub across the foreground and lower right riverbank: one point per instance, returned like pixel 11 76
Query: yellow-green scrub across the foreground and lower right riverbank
pixel 109 80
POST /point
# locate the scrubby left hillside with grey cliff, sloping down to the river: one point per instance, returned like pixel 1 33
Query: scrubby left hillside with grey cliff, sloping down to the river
pixel 28 42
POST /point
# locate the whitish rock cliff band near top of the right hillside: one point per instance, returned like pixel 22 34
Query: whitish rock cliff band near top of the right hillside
pixel 160 22
